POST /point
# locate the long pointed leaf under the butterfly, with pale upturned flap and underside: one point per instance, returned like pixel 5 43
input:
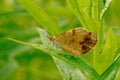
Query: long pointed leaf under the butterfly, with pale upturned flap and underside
pixel 67 64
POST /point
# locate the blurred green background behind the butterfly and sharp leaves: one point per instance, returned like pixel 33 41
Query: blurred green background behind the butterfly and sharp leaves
pixel 18 62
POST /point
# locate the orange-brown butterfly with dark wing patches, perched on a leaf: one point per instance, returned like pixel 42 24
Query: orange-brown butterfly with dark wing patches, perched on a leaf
pixel 77 41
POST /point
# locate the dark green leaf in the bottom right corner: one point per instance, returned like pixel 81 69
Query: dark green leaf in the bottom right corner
pixel 111 72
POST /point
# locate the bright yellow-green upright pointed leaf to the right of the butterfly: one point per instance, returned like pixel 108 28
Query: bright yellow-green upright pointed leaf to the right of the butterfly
pixel 106 57
